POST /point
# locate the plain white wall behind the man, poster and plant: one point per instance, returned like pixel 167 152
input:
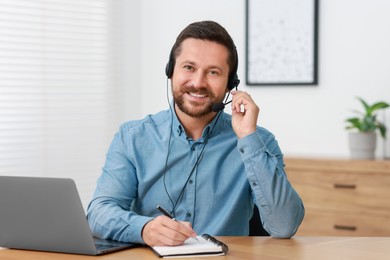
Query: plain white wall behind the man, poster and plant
pixel 354 60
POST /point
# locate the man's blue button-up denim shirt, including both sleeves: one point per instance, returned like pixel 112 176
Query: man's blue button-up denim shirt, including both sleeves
pixel 150 160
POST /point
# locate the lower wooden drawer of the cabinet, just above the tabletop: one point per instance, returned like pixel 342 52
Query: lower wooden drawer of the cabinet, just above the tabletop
pixel 329 223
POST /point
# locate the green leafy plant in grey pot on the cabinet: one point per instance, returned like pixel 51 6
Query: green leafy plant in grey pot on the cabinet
pixel 362 142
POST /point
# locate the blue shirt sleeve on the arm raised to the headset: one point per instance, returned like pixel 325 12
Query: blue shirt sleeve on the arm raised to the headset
pixel 281 209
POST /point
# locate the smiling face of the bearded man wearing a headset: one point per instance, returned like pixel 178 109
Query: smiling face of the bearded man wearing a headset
pixel 200 76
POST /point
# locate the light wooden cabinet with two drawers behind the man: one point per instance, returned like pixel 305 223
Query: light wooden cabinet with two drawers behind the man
pixel 342 197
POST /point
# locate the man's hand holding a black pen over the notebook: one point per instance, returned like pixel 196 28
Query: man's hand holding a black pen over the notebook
pixel 165 231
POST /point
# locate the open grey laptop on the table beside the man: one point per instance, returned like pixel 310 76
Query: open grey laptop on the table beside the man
pixel 46 214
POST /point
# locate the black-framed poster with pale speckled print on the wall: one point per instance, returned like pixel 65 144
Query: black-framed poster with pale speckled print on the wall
pixel 281 42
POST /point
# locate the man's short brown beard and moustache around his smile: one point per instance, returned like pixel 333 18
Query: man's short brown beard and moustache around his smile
pixel 191 108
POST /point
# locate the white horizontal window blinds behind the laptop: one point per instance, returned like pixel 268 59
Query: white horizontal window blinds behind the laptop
pixel 60 88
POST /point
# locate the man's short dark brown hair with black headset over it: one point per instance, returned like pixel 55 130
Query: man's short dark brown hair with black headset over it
pixel 205 30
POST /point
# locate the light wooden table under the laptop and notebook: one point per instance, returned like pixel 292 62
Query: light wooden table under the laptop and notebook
pixel 303 247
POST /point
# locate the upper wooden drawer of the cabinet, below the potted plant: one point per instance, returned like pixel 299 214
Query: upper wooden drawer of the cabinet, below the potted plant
pixel 343 191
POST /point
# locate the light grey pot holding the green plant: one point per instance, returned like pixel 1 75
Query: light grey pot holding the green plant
pixel 362 146
